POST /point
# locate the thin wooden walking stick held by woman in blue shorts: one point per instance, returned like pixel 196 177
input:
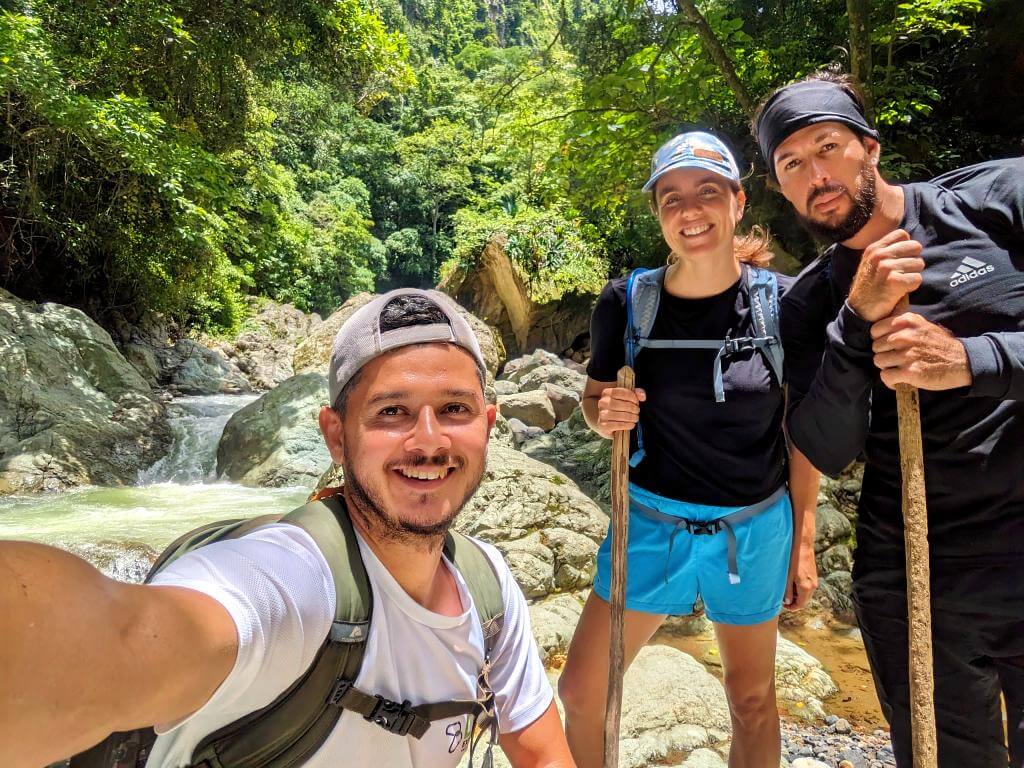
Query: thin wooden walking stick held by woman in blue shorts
pixel 620 534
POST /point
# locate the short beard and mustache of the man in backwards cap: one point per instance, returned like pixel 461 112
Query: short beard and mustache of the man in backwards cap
pixel 370 505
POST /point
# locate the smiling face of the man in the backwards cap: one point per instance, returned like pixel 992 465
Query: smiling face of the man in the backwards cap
pixel 413 440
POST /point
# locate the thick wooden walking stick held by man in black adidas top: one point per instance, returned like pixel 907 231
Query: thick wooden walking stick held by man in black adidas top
pixel 918 574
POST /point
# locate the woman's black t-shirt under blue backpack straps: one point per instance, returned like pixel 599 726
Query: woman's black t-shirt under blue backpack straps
pixel 700 451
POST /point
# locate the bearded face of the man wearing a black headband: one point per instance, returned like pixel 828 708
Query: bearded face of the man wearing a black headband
pixel 827 172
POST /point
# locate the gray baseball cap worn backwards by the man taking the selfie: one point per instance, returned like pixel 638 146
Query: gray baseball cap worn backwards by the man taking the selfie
pixel 360 339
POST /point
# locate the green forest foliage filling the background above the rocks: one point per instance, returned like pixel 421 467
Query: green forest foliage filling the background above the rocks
pixel 182 156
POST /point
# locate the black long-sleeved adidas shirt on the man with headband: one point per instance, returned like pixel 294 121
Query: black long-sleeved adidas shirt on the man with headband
pixel 973 233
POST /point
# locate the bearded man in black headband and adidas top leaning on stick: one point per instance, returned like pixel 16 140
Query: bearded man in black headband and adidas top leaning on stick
pixel 957 246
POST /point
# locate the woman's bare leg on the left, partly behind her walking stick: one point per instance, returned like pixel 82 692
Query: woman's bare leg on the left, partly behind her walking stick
pixel 584 685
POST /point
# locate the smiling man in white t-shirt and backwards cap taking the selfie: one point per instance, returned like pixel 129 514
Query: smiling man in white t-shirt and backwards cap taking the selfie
pixel 228 629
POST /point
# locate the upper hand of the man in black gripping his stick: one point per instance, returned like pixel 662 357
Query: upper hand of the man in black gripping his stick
pixel 890 269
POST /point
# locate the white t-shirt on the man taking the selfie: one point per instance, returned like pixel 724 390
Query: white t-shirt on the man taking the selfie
pixel 278 588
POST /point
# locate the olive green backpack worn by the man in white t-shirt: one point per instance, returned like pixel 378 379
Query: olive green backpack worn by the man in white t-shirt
pixel 290 730
